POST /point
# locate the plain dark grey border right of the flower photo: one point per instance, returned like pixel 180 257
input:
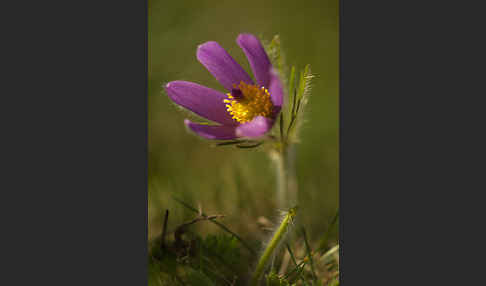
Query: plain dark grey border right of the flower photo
pixel 409 128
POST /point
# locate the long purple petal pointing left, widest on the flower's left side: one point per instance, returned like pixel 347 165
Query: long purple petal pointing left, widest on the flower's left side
pixel 201 100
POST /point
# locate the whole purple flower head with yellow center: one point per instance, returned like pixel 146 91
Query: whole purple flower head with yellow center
pixel 248 109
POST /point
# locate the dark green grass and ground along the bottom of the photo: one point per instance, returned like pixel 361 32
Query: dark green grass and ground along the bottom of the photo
pixel 188 258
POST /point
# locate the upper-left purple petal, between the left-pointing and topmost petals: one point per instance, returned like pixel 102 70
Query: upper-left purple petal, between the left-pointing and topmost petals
pixel 221 65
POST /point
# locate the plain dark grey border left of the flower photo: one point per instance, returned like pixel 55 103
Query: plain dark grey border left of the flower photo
pixel 77 165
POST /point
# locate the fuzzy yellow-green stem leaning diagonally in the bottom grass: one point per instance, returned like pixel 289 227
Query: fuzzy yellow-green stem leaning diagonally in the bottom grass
pixel 276 239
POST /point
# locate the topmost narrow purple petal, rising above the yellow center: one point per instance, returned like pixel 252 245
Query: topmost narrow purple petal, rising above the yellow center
pixel 257 57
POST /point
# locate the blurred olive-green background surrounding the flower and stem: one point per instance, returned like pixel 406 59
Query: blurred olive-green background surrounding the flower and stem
pixel 224 180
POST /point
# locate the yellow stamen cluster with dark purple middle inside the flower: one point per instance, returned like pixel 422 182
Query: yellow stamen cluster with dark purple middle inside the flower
pixel 247 101
